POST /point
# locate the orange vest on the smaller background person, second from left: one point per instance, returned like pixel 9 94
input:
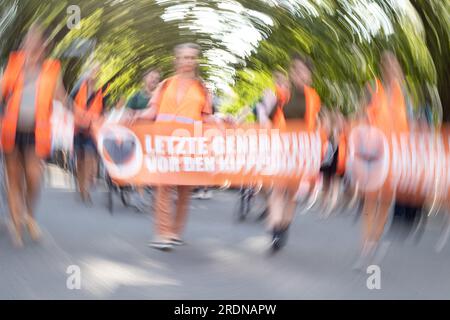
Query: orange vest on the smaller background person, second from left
pixel 83 112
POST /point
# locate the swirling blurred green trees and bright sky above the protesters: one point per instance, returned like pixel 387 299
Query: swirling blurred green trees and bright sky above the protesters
pixel 243 41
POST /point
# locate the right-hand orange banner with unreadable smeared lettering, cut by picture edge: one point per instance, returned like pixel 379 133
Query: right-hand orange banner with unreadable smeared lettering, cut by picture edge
pixel 415 165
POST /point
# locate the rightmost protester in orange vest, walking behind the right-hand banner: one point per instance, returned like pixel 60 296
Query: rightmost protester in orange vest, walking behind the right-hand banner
pixel 387 112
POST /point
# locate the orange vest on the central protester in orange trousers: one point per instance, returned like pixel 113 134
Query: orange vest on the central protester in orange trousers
pixel 189 108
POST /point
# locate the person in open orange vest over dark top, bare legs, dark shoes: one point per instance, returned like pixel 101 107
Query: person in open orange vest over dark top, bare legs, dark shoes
pixel 294 98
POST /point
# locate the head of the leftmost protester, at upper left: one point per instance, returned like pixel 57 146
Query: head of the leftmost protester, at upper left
pixel 34 43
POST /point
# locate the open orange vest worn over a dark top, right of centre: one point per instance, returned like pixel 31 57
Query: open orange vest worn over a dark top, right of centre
pixel 312 107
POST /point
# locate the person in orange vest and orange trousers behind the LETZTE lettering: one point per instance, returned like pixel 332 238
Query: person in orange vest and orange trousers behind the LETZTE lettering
pixel 182 98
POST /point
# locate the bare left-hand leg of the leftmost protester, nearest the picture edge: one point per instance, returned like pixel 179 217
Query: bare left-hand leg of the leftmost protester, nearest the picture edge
pixel 14 174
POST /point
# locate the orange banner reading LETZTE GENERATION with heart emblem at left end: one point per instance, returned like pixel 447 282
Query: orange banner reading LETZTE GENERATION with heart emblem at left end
pixel 148 153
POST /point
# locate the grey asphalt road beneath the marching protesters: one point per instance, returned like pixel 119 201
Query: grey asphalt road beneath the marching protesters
pixel 222 259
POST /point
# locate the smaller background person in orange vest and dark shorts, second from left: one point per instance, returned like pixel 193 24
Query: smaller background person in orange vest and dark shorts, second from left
pixel 88 107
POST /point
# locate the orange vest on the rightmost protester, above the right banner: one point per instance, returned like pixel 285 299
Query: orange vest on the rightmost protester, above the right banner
pixel 388 114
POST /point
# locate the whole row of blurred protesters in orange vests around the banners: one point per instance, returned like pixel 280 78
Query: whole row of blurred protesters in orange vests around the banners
pixel 32 82
